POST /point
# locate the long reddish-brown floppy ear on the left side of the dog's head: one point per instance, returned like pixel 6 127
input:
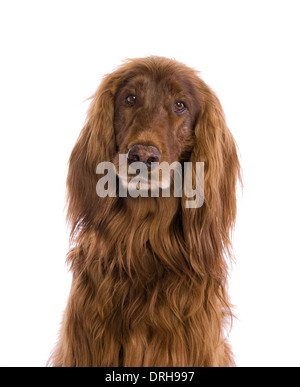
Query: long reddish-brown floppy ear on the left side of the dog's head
pixel 96 143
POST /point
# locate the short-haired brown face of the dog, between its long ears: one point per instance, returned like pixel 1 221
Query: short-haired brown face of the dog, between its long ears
pixel 154 116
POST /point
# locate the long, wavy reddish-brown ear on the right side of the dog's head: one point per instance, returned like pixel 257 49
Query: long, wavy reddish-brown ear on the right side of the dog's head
pixel 208 227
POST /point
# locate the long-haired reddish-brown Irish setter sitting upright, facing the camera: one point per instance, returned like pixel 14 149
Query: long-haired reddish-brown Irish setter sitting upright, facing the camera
pixel 149 273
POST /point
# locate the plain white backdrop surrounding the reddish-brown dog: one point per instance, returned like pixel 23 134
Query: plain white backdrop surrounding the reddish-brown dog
pixel 53 56
